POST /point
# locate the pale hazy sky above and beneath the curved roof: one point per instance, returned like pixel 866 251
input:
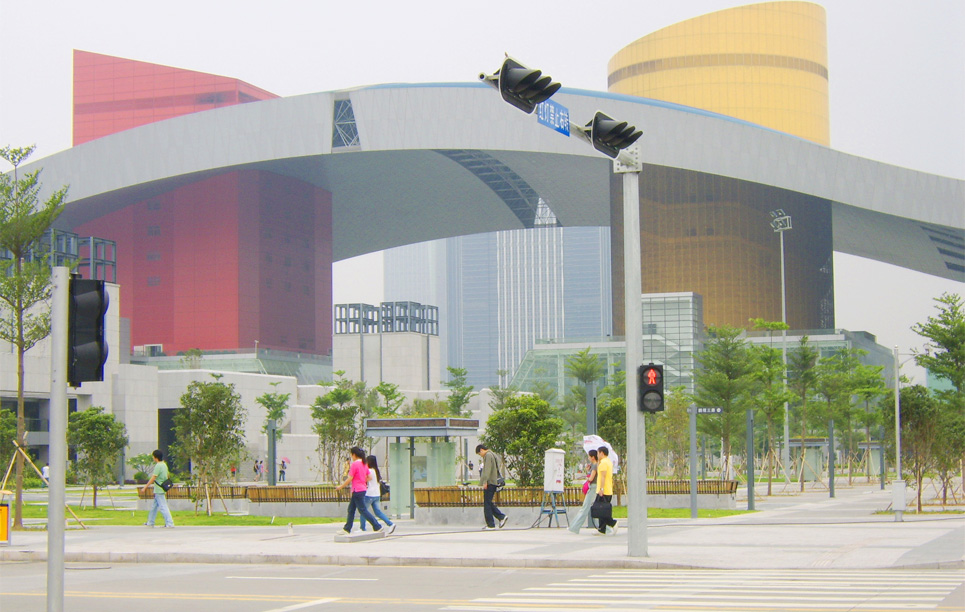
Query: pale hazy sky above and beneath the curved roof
pixel 896 72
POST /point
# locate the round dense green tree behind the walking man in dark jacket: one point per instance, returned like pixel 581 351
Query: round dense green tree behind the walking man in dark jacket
pixel 522 432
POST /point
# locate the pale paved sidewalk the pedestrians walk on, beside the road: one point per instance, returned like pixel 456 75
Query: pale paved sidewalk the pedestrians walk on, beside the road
pixel 806 531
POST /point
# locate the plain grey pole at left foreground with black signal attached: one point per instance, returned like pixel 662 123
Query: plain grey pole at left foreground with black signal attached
pixel 60 296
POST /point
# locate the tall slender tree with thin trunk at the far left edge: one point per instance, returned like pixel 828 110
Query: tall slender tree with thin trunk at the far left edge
pixel 24 281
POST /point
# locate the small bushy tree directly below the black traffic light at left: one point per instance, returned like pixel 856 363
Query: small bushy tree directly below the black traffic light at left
pixel 98 439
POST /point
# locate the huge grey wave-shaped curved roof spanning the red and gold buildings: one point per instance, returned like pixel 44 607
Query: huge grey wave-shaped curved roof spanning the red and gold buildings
pixel 413 162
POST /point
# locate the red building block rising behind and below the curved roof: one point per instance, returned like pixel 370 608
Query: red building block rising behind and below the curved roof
pixel 241 258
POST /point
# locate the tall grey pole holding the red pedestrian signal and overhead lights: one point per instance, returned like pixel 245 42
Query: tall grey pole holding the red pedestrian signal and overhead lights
pixel 633 318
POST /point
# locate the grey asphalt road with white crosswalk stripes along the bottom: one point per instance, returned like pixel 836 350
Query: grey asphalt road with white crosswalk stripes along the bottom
pixel 284 588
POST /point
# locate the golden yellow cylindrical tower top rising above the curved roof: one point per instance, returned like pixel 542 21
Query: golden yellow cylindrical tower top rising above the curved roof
pixel 764 63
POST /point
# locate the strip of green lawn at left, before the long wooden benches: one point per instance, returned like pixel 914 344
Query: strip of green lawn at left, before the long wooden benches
pixel 108 516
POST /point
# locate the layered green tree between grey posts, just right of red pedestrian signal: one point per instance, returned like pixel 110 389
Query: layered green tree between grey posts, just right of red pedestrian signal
pixel 725 379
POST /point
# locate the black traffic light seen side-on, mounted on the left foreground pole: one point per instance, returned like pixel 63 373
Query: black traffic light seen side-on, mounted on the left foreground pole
pixel 86 340
